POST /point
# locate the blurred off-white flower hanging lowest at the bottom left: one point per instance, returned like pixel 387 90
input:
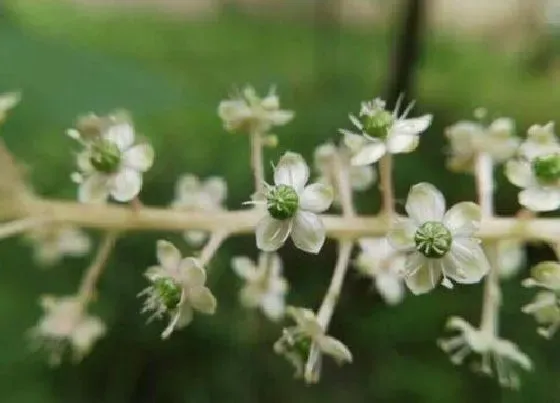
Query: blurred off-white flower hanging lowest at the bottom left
pixel 65 324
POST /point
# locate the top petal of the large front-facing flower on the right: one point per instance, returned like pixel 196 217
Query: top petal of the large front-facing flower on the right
pixel 425 203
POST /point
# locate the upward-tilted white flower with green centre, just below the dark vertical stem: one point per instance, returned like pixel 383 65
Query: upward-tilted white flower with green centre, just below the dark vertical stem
pixel 380 131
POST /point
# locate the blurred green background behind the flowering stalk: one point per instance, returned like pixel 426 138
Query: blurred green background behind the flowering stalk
pixel 170 62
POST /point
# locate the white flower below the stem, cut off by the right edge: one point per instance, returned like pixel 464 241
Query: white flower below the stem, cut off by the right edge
pixel 546 305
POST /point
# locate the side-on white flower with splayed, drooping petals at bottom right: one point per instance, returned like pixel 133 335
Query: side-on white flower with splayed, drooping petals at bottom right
pixel 498 356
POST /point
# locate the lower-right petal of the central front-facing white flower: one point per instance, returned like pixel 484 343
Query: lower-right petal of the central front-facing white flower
pixel 308 232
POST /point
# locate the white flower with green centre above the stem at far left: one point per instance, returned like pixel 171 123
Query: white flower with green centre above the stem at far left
pixel 111 163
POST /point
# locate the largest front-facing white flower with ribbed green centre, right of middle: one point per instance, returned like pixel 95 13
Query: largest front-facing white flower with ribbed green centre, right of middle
pixel 438 243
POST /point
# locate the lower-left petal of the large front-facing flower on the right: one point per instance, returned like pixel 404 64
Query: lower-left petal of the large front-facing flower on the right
pixel 424 273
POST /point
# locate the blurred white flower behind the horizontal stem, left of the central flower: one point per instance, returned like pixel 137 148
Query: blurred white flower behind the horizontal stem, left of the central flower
pixel 193 195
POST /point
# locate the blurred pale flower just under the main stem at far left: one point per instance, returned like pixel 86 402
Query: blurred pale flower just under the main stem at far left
pixel 53 242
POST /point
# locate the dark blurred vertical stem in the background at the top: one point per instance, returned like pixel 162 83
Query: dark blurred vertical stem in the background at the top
pixel 405 59
